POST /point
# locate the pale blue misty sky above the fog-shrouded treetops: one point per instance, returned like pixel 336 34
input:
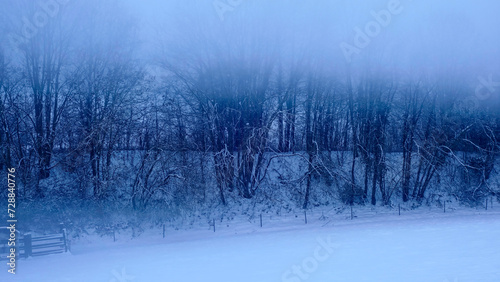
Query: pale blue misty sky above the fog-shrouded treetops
pixel 417 36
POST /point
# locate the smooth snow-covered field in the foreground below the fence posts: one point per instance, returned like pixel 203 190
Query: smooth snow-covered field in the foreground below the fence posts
pixel 416 246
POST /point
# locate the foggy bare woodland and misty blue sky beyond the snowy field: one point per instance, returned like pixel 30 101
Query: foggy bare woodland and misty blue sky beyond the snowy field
pixel 252 104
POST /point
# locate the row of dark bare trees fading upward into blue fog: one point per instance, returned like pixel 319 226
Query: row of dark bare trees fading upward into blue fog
pixel 77 94
